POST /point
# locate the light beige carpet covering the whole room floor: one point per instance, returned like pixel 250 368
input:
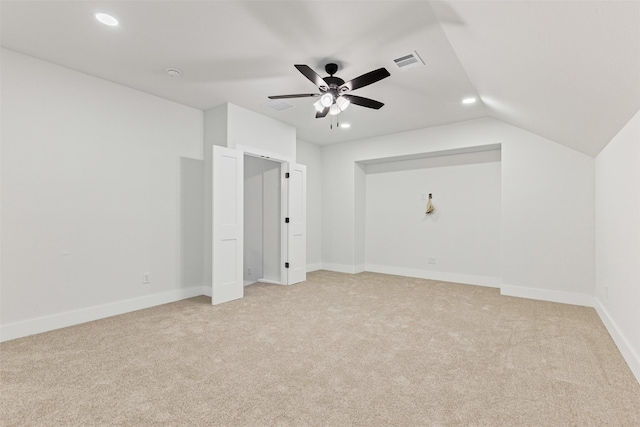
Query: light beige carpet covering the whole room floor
pixel 337 350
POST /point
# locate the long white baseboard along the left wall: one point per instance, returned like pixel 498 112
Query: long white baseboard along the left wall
pixel 38 325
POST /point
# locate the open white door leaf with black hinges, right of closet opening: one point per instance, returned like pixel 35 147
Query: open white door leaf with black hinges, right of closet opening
pixel 297 225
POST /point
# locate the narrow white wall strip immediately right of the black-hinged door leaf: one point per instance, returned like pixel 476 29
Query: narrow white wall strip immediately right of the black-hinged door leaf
pixel 310 155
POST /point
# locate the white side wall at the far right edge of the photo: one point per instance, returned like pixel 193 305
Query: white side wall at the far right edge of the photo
pixel 617 206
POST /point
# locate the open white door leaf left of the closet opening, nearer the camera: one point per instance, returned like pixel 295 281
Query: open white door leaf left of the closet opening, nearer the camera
pixel 228 221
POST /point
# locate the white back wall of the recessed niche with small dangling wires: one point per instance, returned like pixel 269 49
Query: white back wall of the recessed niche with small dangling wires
pixel 463 234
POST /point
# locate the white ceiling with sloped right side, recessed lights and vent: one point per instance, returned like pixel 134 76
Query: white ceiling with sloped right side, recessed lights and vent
pixel 566 70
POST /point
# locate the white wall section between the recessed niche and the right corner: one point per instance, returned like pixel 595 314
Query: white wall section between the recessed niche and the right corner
pixel 548 221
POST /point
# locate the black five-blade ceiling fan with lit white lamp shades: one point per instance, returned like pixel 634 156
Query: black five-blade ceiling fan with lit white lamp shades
pixel 333 90
